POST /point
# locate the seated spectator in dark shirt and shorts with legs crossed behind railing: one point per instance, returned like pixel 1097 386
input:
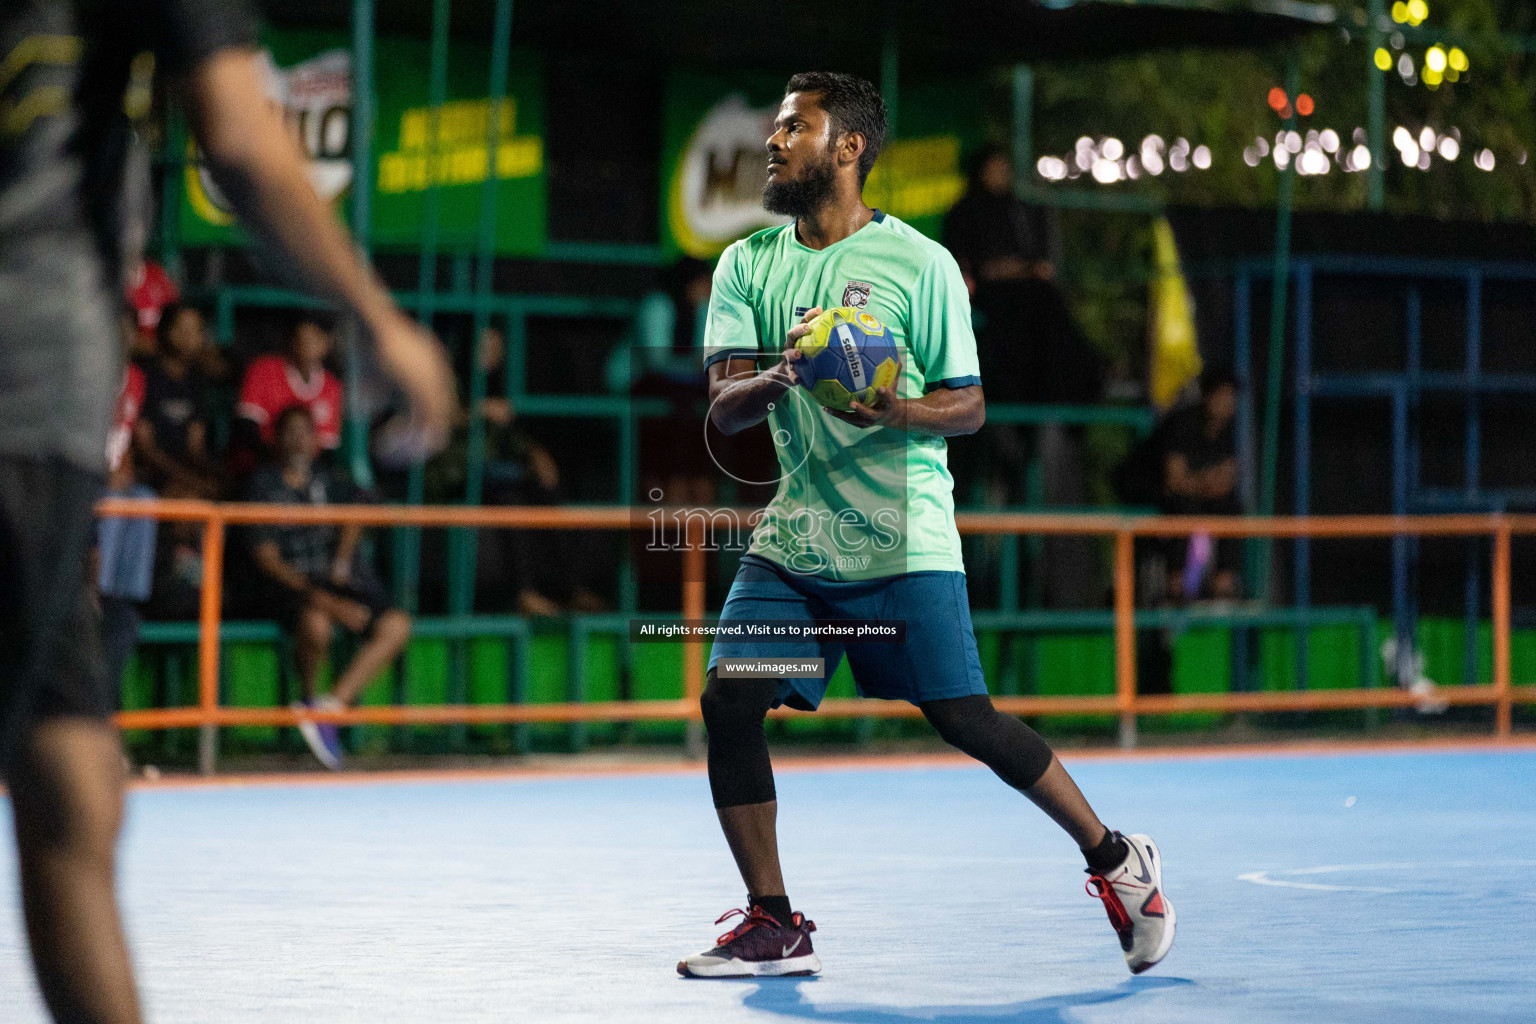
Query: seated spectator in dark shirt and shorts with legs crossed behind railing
pixel 313 580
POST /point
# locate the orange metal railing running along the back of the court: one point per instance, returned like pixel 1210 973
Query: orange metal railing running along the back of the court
pixel 1127 702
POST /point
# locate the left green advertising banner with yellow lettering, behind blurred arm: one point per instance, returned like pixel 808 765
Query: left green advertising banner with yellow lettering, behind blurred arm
pixel 310 73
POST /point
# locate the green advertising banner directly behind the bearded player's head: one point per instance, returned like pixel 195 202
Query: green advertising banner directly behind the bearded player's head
pixel 715 165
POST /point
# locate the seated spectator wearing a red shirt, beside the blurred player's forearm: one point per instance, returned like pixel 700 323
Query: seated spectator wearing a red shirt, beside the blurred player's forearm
pixel 276 383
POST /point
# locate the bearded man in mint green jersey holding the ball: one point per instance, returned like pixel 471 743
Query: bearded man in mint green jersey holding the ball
pixel 862 526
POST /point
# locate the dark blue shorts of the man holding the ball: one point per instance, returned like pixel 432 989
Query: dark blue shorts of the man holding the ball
pixel 938 661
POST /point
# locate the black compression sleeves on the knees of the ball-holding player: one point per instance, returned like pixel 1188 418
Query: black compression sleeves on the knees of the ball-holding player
pixel 741 771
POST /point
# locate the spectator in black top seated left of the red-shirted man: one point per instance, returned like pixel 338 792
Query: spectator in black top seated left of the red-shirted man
pixel 171 435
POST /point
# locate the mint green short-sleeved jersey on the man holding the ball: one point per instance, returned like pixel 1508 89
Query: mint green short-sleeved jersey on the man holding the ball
pixel 853 503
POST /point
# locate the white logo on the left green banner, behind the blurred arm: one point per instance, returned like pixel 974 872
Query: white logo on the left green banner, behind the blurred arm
pixel 316 97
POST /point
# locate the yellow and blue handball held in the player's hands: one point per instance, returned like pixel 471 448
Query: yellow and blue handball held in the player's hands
pixel 847 357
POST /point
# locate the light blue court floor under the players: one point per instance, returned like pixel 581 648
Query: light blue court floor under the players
pixel 1363 888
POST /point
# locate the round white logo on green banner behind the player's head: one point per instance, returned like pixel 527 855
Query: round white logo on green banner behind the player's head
pixel 717 190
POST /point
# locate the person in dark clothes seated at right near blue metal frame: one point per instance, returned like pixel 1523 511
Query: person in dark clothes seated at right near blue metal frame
pixel 1200 478
